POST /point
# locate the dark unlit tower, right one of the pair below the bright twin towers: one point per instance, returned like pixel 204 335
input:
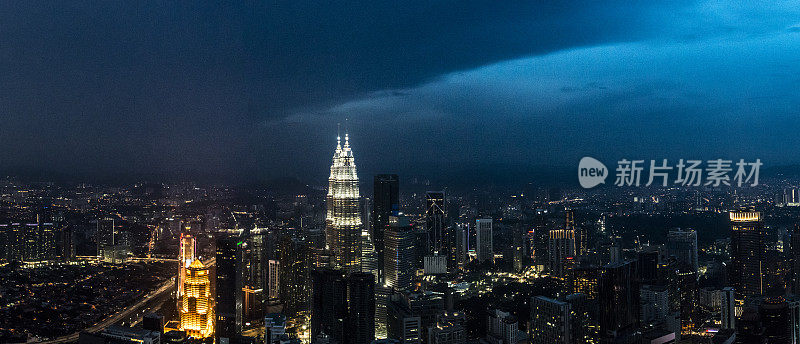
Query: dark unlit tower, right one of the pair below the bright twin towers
pixel 361 308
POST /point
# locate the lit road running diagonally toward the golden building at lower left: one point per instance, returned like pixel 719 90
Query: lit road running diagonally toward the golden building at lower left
pixel 135 311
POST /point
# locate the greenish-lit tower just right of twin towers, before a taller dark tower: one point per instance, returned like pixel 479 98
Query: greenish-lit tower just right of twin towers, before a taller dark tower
pixel 399 254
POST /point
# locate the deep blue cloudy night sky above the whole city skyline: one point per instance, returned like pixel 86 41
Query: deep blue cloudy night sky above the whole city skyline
pixel 253 90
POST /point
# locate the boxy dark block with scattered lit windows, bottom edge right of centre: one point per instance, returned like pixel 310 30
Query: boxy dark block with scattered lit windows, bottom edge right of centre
pixel 550 321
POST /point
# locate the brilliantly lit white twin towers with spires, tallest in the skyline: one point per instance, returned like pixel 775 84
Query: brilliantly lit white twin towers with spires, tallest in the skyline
pixel 343 219
